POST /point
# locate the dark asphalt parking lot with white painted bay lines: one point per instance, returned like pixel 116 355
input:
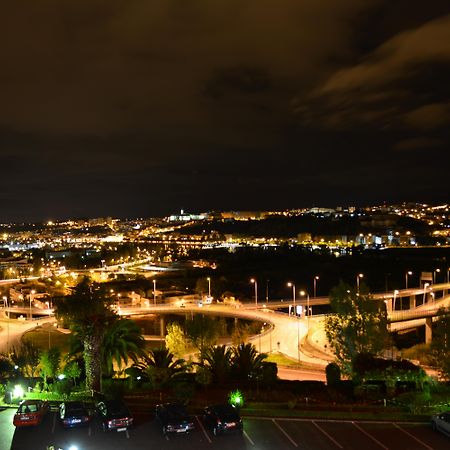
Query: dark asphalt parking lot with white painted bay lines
pixel 259 433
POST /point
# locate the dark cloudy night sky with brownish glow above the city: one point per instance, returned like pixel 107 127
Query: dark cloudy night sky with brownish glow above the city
pixel 138 108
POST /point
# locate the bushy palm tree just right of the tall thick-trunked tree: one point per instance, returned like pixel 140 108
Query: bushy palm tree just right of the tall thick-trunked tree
pixel 122 342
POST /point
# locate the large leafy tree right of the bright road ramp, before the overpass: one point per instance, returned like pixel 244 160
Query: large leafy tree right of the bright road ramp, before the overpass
pixel 358 324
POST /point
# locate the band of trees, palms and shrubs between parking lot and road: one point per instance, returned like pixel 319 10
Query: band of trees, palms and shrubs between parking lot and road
pixel 105 354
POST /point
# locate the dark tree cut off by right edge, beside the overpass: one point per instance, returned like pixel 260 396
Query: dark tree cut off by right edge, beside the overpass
pixel 440 345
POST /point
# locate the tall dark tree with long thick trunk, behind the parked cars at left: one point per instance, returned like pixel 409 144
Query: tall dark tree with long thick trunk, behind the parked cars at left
pixel 88 313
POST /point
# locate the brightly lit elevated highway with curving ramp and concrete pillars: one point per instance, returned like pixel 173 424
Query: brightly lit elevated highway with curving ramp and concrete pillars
pixel 289 333
